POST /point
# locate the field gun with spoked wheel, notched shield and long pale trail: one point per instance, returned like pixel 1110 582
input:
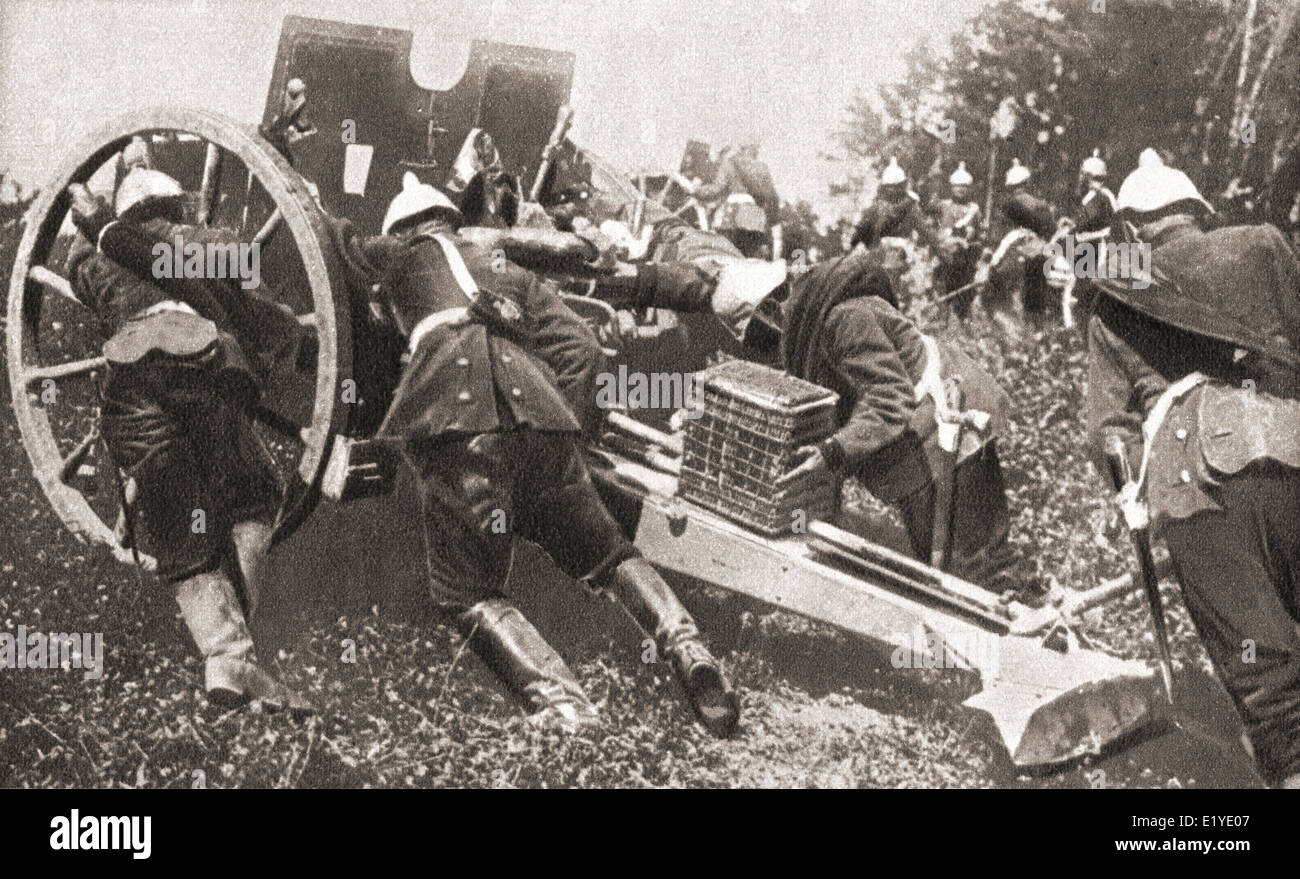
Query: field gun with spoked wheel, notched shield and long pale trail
pixel 1051 698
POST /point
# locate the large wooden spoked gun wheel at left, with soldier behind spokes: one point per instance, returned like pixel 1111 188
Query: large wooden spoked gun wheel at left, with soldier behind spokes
pixel 54 370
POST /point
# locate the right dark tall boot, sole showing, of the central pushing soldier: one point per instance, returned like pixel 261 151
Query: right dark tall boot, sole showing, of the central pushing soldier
pixel 655 607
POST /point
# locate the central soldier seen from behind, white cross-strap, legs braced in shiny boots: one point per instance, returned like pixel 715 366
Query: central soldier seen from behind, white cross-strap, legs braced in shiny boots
pixel 492 439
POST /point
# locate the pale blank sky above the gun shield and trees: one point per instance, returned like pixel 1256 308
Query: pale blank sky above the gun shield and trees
pixel 649 76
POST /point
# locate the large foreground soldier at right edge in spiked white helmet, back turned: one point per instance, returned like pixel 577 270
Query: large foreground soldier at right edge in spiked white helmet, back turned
pixel 1198 374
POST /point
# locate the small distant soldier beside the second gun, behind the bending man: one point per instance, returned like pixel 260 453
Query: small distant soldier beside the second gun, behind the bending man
pixel 748 206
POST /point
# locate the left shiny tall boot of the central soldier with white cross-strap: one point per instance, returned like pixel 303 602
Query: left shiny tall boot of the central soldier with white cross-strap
pixel 518 653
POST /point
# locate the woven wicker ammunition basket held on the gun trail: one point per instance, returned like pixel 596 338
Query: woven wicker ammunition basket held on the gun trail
pixel 753 421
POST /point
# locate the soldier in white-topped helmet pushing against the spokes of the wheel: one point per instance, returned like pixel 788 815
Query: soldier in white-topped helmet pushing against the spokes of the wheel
pixel 187 361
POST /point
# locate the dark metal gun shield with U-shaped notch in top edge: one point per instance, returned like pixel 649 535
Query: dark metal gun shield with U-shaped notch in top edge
pixel 361 93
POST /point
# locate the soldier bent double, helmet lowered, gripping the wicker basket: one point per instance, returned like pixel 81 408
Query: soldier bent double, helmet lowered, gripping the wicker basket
pixel 840 328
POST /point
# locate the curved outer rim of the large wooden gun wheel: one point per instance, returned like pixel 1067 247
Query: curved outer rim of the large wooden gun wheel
pixel 28 292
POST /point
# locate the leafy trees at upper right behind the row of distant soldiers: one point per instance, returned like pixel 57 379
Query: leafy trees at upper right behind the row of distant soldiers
pixel 1211 84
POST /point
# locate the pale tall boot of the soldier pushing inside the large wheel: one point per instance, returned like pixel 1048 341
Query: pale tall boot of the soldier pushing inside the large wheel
pixel 232 674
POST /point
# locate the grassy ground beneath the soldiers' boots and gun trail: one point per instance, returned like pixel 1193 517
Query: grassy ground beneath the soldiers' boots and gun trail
pixel 417 711
